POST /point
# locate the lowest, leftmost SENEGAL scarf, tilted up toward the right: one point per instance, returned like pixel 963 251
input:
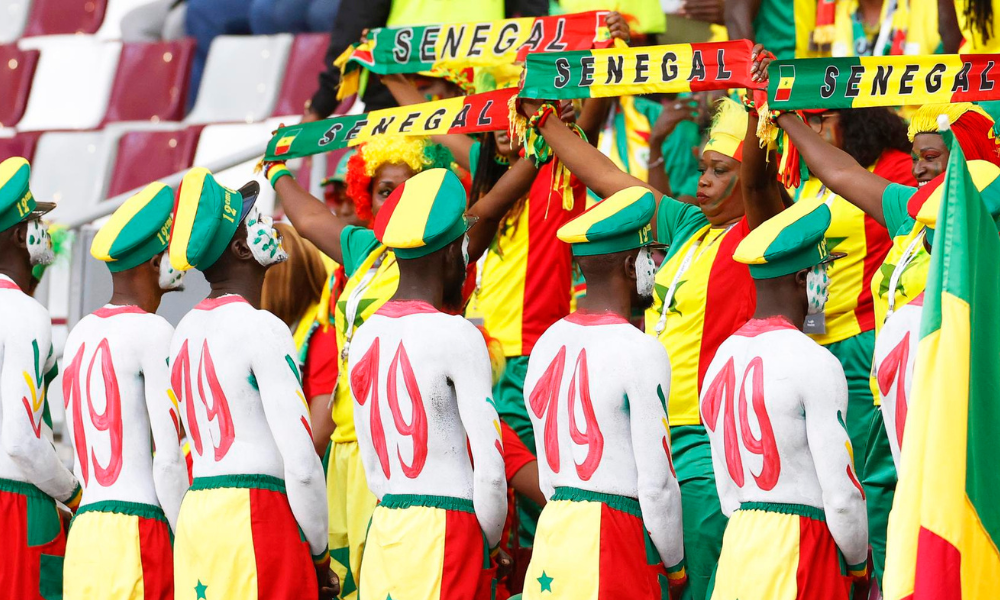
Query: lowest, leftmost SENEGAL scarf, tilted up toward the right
pixel 469 114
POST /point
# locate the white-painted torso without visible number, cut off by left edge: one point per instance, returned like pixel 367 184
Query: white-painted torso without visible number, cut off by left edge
pixel 26 367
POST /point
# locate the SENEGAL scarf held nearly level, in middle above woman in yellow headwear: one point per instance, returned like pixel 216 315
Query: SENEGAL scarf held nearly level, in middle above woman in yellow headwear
pixel 611 72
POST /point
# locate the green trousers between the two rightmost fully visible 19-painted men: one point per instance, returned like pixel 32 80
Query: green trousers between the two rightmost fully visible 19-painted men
pixel 704 523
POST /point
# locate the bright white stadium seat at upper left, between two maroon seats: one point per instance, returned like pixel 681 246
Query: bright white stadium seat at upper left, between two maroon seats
pixel 72 82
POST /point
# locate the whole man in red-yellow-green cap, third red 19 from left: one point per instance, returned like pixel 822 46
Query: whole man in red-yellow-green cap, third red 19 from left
pixel 439 474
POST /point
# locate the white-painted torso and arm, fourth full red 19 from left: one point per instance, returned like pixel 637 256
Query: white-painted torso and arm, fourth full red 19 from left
pixel 596 391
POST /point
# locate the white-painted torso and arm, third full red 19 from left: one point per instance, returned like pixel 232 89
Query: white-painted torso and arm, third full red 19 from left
pixel 421 383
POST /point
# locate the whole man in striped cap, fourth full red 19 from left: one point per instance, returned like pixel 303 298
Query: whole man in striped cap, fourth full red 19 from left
pixel 613 499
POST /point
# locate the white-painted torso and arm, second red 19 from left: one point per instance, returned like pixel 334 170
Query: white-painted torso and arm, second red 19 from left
pixel 234 373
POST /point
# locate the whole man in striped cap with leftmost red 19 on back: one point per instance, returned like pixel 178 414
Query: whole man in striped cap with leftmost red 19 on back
pixel 130 500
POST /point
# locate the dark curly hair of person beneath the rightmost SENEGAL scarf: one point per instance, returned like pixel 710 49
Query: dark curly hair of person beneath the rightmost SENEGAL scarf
pixel 868 132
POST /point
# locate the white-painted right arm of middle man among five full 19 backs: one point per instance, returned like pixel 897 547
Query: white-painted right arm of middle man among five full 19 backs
pixel 472 378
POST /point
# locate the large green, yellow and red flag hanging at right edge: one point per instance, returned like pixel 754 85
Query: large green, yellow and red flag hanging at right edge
pixel 945 519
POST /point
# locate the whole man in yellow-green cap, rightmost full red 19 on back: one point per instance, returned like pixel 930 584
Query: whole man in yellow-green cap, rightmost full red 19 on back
pixel 775 406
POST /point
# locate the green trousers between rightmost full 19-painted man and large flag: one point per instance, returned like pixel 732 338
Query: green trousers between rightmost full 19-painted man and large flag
pixel 879 482
